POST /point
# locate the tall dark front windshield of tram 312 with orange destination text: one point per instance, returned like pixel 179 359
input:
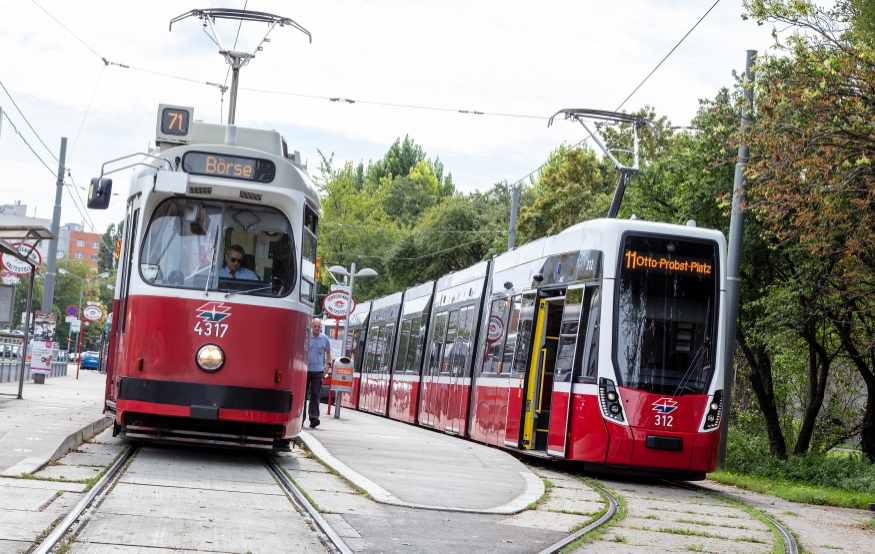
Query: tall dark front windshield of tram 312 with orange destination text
pixel 666 314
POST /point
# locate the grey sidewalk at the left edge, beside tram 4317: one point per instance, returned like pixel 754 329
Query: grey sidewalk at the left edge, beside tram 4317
pixel 49 420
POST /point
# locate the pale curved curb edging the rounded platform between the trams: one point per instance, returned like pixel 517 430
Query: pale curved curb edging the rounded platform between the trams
pixel 534 486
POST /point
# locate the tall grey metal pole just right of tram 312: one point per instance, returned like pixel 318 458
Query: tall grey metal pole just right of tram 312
pixel 733 265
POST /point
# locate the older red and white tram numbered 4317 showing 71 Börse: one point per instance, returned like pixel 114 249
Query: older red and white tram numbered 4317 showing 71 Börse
pixel 215 287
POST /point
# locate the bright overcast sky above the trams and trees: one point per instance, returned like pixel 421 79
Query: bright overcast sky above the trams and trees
pixel 521 58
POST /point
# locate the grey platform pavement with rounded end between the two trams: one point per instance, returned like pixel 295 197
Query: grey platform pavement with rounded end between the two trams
pixel 404 465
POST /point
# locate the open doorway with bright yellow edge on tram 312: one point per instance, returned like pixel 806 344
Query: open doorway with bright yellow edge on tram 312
pixel 539 381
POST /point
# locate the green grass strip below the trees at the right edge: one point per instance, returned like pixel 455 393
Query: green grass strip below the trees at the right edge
pixel 795 492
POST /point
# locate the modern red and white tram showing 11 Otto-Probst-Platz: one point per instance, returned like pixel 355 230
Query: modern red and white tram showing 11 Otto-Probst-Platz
pixel 600 345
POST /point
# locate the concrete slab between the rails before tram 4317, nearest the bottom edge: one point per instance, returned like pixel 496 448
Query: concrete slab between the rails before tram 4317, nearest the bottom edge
pixel 281 534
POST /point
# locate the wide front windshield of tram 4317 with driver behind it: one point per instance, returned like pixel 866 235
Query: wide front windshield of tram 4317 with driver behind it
pixel 224 246
